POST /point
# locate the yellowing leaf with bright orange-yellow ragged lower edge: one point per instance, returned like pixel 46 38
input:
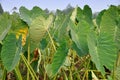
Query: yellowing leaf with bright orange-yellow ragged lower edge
pixel 19 27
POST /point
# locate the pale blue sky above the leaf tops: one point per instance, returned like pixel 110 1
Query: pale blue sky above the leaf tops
pixel 95 5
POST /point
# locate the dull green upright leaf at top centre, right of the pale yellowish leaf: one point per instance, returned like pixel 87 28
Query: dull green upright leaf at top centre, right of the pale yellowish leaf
pixel 60 29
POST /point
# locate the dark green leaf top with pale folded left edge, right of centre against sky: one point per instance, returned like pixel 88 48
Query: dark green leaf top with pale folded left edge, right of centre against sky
pixel 78 15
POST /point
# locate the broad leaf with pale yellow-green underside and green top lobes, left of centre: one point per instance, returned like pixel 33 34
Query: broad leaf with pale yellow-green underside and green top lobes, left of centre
pixel 38 22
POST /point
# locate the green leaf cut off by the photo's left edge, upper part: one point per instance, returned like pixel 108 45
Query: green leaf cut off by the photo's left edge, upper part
pixel 5 25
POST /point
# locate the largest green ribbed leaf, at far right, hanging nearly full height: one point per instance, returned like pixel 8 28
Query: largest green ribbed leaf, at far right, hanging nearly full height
pixel 102 48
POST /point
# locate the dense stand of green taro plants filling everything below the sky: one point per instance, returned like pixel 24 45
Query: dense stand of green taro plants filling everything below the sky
pixel 39 45
